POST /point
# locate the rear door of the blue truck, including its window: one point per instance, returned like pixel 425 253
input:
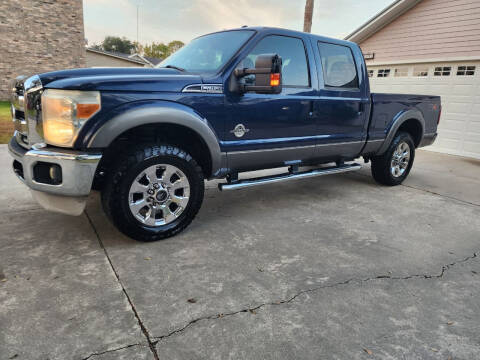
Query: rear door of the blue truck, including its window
pixel 342 104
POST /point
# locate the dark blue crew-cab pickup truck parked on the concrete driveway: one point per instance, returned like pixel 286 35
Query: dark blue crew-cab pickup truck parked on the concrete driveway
pixel 228 102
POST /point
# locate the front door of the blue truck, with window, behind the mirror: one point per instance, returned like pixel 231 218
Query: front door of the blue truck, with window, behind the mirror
pixel 277 128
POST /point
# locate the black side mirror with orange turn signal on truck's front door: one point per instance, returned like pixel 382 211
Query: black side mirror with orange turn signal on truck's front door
pixel 268 76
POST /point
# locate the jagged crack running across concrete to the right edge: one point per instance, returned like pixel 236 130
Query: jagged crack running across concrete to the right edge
pixel 445 268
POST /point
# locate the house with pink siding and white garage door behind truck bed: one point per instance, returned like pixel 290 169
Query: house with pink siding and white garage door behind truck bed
pixel 430 47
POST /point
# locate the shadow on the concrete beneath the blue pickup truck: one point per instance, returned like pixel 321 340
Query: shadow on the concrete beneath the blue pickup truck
pixel 291 201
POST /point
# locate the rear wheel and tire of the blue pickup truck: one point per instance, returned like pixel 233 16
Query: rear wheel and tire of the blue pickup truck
pixel 393 167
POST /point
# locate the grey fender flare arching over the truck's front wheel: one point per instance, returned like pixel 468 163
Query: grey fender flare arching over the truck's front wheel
pixel 160 112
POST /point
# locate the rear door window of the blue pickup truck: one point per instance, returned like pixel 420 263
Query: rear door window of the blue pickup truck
pixel 338 66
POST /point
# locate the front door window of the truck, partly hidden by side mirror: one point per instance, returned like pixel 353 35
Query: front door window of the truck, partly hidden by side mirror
pixel 294 60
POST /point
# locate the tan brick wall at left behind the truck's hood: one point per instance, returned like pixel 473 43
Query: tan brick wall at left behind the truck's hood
pixel 38 36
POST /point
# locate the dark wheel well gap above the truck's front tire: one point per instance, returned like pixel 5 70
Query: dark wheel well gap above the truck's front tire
pixel 173 134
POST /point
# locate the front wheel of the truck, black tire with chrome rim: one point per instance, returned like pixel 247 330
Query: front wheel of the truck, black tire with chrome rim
pixel 153 192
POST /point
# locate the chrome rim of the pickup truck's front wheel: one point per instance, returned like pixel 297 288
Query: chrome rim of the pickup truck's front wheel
pixel 159 195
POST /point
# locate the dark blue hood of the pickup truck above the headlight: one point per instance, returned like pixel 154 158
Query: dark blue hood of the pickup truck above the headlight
pixel 119 79
